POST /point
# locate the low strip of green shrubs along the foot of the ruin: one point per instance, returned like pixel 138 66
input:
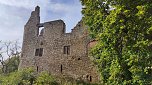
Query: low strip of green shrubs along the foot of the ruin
pixel 29 77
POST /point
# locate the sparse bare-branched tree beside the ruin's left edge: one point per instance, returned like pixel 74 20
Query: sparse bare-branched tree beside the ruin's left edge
pixel 10 49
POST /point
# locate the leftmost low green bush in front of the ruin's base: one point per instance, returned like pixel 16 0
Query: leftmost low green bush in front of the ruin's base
pixel 23 77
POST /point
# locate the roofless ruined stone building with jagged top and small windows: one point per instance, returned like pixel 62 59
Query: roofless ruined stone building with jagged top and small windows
pixel 55 51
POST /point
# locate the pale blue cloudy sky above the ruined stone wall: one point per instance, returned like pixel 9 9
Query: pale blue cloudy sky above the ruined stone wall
pixel 15 13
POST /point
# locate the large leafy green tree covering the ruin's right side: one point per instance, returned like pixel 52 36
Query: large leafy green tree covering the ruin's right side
pixel 123 29
